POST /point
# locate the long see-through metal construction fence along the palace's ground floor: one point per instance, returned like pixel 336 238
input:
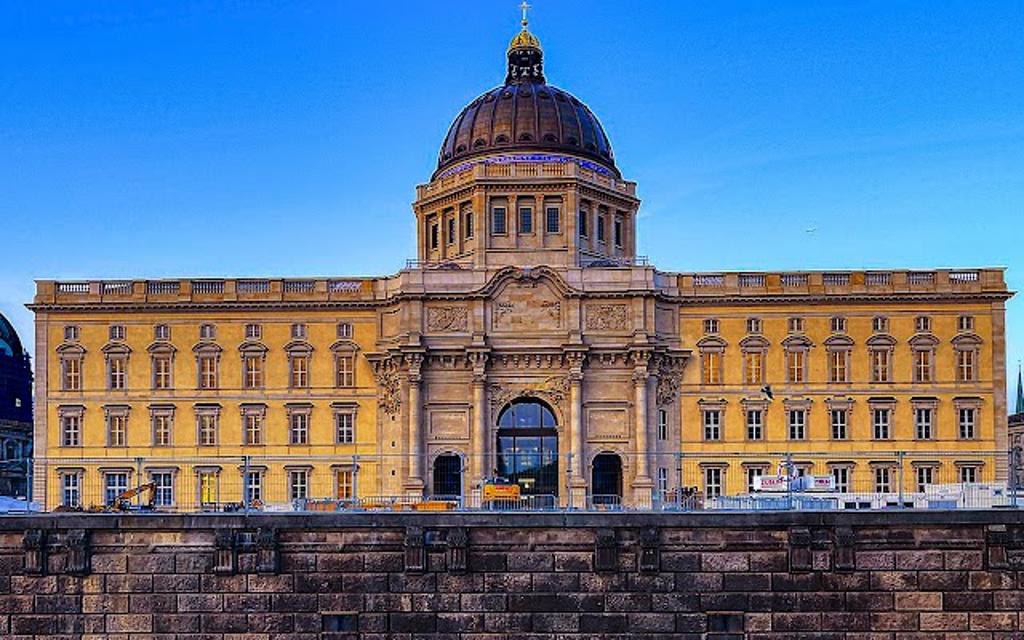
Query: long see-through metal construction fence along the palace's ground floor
pixel 610 481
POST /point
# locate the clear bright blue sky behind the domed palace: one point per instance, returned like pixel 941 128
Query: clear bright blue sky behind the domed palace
pixel 285 139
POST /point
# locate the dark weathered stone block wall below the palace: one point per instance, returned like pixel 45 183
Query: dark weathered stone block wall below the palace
pixel 897 576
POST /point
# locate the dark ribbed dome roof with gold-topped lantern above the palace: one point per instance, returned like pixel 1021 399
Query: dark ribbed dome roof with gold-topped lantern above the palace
pixel 526 115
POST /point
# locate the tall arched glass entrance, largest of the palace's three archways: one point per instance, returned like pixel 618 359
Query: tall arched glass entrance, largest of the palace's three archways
pixel 528 447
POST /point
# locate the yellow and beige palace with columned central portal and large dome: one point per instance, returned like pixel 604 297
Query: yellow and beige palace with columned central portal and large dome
pixel 527 340
